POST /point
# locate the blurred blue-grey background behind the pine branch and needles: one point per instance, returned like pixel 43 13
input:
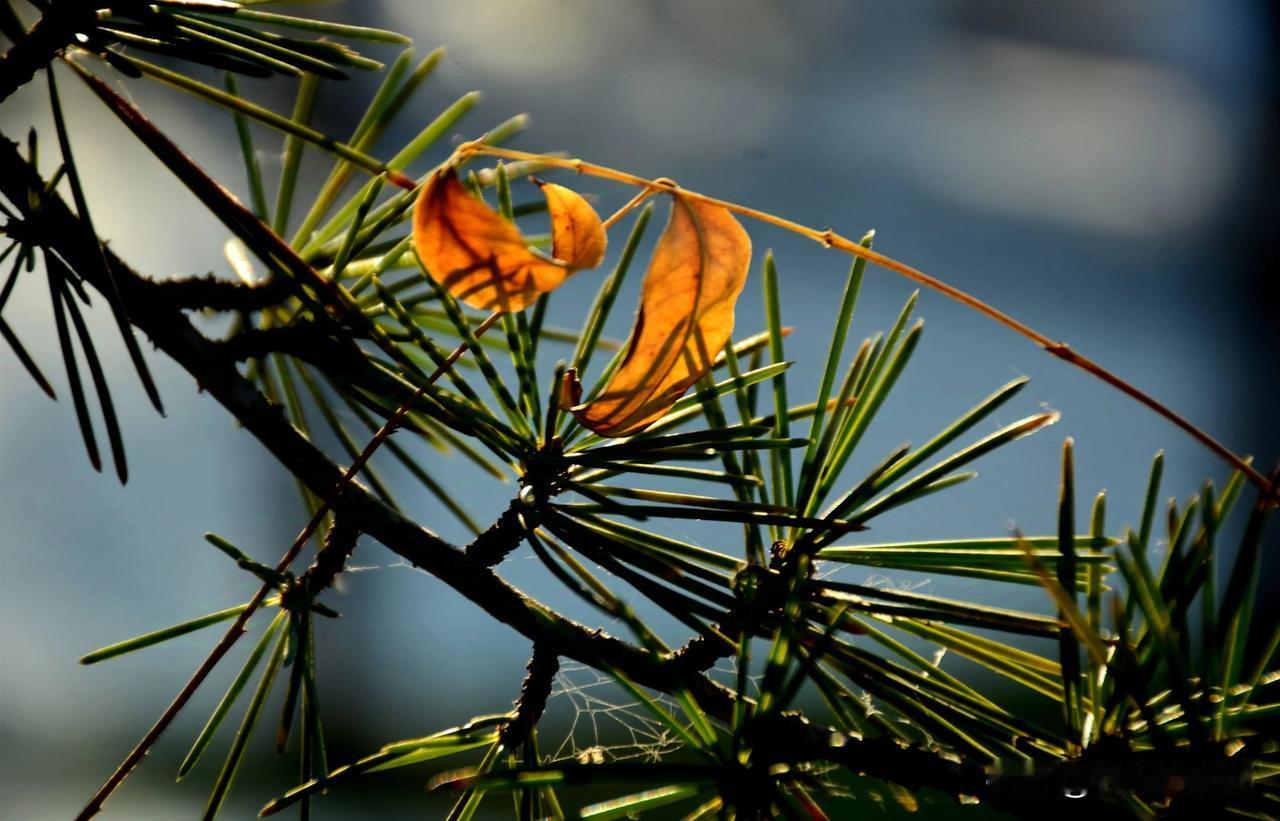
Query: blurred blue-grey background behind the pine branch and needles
pixel 1105 171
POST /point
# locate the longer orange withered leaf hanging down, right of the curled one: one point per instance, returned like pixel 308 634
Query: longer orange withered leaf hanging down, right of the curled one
pixel 687 317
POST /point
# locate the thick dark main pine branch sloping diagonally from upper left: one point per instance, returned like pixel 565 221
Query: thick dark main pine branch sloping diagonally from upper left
pixel 794 740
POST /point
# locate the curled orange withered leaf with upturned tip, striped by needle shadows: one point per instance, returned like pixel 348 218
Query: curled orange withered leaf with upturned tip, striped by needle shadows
pixel 483 261
